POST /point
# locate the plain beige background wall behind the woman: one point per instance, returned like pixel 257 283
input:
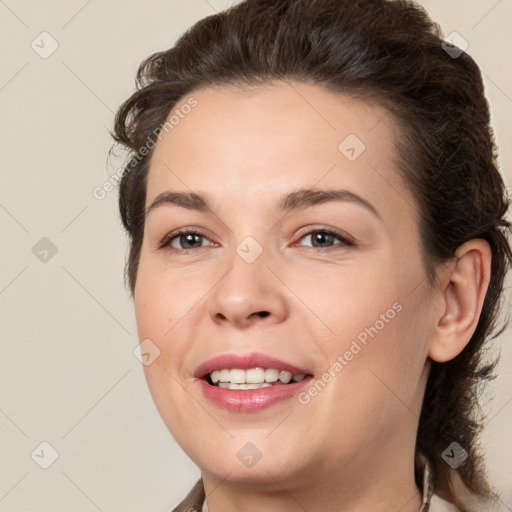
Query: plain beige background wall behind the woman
pixel 67 372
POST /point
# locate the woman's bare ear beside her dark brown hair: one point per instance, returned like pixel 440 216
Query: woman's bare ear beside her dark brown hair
pixel 462 295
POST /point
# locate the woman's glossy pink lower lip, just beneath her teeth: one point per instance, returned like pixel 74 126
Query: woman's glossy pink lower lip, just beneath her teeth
pixel 251 399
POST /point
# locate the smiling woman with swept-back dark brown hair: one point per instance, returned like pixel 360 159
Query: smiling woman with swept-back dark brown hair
pixel 317 254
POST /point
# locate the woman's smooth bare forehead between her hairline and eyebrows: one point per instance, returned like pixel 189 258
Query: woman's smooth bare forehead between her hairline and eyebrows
pixel 241 144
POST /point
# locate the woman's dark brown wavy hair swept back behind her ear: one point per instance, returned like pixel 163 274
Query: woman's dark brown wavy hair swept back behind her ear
pixel 384 51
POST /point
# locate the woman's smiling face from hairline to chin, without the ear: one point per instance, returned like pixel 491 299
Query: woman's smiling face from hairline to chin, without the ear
pixel 325 287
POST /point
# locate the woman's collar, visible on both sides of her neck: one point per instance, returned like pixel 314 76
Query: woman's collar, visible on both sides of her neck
pixel 431 502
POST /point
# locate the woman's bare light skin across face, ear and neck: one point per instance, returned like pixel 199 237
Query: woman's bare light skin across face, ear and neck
pixel 351 448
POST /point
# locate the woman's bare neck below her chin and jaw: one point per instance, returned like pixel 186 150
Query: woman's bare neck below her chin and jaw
pixel 357 486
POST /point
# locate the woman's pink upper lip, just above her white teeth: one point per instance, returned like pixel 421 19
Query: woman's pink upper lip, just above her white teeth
pixel 245 362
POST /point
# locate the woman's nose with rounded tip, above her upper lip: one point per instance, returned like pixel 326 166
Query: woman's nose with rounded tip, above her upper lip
pixel 248 294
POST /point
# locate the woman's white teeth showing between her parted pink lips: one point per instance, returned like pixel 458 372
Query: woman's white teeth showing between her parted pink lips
pixel 253 378
